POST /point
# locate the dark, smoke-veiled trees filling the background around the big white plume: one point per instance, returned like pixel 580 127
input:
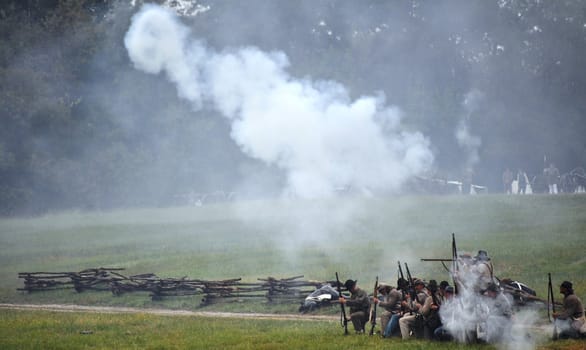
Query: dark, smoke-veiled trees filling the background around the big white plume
pixel 80 128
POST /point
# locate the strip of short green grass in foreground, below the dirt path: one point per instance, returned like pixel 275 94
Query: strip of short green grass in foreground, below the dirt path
pixel 49 330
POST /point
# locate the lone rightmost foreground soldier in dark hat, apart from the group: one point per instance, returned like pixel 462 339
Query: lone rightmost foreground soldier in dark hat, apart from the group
pixel 570 321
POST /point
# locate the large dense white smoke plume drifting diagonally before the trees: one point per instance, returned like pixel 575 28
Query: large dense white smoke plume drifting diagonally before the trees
pixel 312 130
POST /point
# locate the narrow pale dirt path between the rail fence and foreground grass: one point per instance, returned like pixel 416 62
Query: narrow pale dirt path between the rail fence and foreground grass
pixel 163 312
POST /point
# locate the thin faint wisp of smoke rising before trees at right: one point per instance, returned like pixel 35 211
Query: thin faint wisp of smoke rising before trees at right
pixel 466 140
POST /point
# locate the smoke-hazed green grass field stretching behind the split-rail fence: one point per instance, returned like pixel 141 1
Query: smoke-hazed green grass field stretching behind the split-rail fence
pixel 526 237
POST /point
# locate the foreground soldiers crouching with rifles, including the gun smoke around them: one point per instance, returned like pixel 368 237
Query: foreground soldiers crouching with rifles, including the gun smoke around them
pixel 428 310
